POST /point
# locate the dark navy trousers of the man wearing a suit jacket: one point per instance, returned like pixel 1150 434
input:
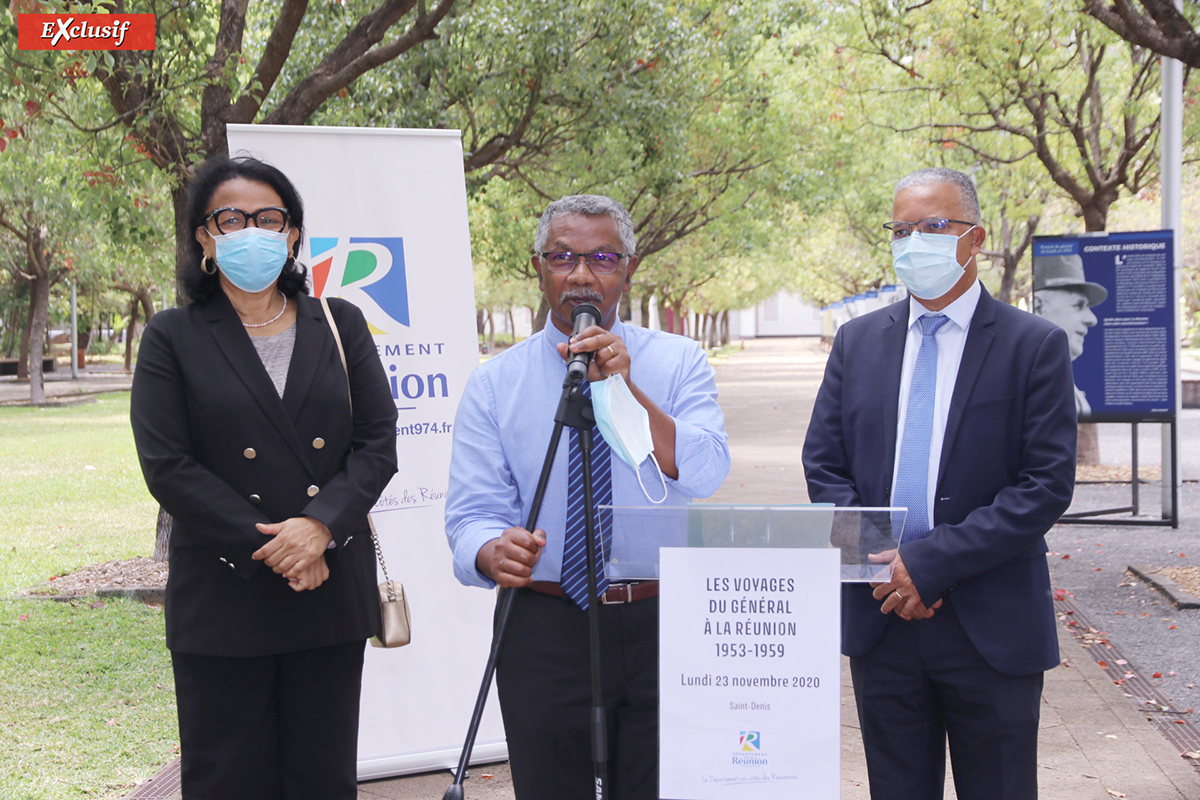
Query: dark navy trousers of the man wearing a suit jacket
pixel 926 683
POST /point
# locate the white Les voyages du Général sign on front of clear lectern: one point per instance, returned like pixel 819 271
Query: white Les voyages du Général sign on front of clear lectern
pixel 749 675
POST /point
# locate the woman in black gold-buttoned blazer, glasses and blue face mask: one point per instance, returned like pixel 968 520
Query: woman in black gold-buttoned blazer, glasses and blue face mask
pixel 247 436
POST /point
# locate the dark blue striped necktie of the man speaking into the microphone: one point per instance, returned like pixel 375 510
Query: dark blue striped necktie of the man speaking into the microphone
pixel 575 556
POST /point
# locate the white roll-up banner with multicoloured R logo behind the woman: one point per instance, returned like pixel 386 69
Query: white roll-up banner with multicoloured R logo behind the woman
pixel 386 228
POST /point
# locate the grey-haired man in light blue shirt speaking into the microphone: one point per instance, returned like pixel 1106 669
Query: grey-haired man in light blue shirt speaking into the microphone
pixel 585 252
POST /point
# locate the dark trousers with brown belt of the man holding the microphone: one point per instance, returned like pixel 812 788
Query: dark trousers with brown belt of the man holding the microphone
pixel 545 689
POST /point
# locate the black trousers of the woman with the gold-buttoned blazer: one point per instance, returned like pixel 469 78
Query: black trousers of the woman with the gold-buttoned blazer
pixel 281 727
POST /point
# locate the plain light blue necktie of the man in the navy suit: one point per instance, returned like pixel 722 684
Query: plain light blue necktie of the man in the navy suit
pixel 913 478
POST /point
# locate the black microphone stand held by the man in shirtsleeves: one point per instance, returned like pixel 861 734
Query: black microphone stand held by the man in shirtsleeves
pixel 574 412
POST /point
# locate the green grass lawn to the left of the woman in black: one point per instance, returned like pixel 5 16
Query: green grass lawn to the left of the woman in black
pixel 86 687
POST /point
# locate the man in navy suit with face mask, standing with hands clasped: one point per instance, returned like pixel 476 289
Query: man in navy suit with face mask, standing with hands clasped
pixel 962 410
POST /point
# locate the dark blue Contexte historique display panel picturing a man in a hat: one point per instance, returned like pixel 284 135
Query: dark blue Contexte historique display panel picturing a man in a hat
pixel 1113 294
